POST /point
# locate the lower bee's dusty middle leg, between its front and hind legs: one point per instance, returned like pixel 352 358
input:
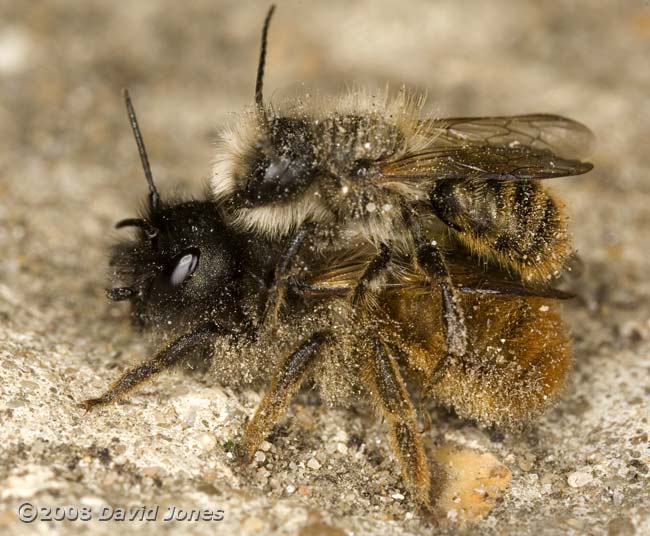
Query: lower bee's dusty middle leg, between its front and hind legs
pixel 286 383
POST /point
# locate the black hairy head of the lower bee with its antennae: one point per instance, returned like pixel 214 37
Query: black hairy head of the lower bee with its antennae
pixel 182 264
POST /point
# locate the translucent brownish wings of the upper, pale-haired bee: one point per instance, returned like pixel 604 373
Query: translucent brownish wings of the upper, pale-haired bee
pixel 535 146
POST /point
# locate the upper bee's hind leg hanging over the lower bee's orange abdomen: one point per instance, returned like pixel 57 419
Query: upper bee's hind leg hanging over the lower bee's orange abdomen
pixel 431 260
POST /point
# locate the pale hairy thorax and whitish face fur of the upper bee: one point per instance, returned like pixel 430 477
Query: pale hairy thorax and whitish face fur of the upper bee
pixel 385 126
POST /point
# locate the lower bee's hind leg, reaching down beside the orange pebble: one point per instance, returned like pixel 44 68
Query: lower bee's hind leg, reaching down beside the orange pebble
pixel 393 400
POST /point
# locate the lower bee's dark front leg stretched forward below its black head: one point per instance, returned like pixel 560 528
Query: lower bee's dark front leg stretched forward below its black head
pixel 165 359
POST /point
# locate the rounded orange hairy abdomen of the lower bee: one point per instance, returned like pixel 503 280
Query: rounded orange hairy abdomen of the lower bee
pixel 517 360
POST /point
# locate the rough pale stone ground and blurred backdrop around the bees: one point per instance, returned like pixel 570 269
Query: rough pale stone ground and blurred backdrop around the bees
pixel 68 171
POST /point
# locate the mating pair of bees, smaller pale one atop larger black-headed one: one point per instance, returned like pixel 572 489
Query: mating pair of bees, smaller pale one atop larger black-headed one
pixel 379 242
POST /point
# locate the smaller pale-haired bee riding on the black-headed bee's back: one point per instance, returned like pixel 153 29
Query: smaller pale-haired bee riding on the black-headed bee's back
pixel 366 168
